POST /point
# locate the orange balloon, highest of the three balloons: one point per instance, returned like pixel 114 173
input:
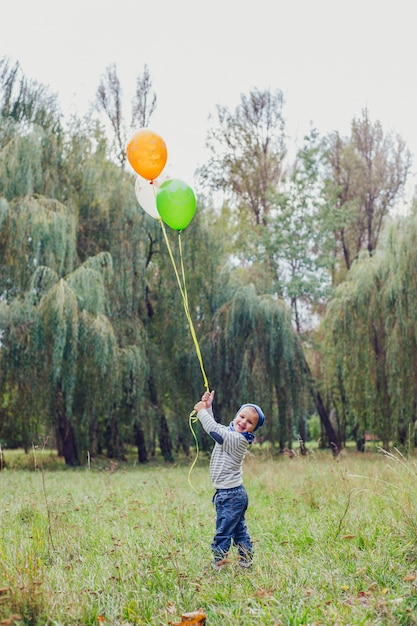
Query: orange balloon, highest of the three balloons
pixel 147 153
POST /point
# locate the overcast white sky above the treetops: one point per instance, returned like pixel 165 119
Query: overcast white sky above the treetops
pixel 331 59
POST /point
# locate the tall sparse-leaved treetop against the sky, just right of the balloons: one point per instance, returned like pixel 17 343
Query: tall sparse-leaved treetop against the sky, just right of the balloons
pixel 248 148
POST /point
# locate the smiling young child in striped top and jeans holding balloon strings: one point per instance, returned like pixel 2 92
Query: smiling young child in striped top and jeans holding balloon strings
pixel 230 498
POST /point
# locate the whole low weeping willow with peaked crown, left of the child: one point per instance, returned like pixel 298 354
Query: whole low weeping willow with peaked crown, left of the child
pixel 96 385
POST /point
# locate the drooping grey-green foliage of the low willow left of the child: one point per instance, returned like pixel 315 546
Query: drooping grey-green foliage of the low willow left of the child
pixel 83 358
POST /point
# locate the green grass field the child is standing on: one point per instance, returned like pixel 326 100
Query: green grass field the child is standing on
pixel 335 543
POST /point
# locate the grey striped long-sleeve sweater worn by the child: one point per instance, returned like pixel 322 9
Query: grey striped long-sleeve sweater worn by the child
pixel 228 453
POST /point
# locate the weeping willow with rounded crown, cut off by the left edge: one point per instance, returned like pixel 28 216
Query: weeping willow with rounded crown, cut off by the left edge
pixel 34 232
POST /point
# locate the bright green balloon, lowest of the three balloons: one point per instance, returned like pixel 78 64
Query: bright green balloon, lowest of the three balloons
pixel 176 203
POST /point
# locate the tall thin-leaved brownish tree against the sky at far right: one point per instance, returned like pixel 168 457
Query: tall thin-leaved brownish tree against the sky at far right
pixel 368 172
